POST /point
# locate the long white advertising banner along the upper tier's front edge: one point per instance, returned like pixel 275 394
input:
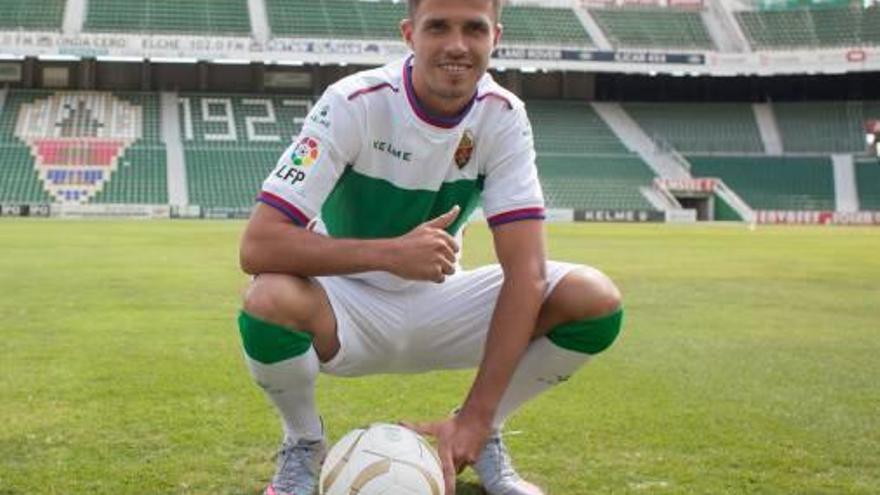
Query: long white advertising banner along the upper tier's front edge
pixel 372 52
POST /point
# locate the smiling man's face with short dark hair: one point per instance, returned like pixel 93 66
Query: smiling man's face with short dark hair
pixel 452 41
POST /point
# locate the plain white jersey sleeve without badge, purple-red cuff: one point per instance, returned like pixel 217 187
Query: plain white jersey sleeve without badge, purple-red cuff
pixel 511 191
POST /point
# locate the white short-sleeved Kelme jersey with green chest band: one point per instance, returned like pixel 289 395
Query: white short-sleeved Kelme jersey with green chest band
pixel 370 162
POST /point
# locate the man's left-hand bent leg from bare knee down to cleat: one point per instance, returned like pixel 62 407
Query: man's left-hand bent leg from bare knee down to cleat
pixel 286 326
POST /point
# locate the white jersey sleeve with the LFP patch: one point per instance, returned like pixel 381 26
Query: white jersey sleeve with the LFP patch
pixel 309 168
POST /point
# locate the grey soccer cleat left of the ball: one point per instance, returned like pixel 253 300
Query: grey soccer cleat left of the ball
pixel 299 464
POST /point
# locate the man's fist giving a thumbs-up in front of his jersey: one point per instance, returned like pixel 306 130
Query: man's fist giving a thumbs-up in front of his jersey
pixel 427 252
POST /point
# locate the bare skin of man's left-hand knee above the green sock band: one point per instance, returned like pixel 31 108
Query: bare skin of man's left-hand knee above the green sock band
pixel 280 299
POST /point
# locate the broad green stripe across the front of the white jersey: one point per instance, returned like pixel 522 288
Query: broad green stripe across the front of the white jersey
pixel 362 207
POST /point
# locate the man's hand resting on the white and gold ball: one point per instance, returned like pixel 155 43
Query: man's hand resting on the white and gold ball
pixel 459 443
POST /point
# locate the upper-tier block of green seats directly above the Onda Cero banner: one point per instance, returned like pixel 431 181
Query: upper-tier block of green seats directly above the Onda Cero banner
pixel 169 16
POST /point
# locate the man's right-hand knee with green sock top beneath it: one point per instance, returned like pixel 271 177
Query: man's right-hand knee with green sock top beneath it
pixel 593 314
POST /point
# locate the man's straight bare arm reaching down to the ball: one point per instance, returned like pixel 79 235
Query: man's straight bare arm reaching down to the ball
pixel 520 250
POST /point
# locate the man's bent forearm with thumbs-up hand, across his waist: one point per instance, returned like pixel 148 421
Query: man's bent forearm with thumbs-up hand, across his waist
pixel 272 244
